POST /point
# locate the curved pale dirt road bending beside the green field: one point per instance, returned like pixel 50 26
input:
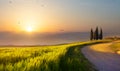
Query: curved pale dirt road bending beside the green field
pixel 102 57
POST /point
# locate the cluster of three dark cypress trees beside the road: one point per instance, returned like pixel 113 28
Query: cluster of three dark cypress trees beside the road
pixel 95 35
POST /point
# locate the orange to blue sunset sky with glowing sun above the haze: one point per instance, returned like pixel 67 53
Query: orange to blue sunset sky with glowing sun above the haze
pixel 56 16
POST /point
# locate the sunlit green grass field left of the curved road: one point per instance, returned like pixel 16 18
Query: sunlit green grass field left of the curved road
pixel 66 57
